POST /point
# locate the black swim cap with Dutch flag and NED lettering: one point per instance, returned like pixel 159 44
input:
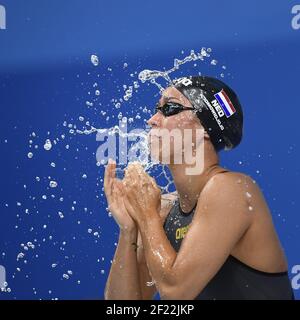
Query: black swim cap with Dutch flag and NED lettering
pixel 219 109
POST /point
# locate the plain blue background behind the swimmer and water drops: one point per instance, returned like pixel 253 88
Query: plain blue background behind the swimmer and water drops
pixel 46 77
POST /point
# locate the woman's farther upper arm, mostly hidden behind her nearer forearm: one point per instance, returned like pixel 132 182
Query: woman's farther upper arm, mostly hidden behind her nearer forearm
pixel 148 288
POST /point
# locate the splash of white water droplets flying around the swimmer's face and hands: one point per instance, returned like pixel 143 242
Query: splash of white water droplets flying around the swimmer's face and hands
pixel 50 189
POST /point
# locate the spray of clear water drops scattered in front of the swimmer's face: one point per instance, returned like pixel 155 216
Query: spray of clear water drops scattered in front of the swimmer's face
pixel 50 188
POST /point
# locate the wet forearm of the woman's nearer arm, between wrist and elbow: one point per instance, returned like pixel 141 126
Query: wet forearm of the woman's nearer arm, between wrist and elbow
pixel 159 253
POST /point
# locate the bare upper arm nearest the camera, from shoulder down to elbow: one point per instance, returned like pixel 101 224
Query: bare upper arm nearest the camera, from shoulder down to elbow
pixel 220 220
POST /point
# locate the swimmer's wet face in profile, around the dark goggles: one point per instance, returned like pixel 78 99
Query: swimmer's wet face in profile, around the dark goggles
pixel 163 127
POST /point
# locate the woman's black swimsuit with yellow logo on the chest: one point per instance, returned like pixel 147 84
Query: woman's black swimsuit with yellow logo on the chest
pixel 235 280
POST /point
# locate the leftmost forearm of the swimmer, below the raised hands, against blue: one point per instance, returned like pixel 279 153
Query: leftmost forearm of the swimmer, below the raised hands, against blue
pixel 123 279
